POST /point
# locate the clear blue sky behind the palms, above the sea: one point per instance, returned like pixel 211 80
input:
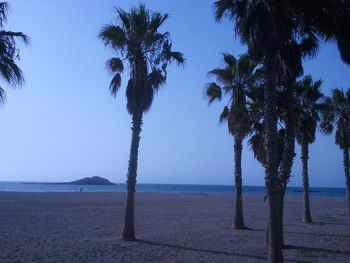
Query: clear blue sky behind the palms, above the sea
pixel 63 124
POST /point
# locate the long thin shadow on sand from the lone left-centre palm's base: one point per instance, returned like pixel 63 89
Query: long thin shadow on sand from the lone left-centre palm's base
pixel 212 251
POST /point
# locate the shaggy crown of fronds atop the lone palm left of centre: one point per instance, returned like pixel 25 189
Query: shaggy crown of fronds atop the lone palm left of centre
pixel 147 51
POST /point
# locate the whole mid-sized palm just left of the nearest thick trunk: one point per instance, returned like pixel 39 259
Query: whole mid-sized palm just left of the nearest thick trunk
pixel 234 80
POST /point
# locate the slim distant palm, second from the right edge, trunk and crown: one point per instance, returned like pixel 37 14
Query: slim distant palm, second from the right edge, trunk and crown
pixel 309 103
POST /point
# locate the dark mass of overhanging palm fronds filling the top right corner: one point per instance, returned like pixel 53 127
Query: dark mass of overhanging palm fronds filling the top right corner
pixel 288 30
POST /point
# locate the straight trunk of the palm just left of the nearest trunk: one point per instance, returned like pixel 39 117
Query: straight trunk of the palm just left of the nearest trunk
pixel 238 218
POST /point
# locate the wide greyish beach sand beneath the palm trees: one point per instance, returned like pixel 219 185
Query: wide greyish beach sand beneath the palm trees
pixel 85 227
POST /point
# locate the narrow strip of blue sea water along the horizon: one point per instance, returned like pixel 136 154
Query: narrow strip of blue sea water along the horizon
pixel 159 188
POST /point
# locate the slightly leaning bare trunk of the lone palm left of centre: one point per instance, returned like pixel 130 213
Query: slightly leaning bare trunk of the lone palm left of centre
pixel 128 231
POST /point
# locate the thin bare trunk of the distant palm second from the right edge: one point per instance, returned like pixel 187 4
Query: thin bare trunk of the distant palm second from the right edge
pixel 304 159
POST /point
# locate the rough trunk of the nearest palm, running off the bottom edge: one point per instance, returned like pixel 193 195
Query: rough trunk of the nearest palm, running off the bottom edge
pixel 271 149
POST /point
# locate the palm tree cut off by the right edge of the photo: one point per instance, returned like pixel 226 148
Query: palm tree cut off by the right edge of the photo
pixel 337 116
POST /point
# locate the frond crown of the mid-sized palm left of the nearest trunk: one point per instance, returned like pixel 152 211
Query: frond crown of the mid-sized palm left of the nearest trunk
pixel 234 80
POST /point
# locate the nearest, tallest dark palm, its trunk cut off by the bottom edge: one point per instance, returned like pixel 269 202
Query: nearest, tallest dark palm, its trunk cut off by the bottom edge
pixel 265 26
